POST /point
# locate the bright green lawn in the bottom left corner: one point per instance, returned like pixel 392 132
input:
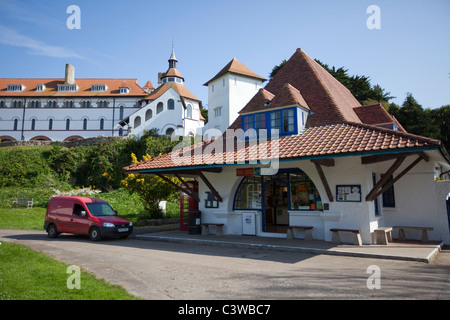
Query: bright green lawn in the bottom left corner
pixel 29 275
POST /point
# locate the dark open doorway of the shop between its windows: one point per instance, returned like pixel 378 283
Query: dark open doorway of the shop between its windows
pixel 276 206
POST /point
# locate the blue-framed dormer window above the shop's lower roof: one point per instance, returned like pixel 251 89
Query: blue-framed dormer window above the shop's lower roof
pixel 285 120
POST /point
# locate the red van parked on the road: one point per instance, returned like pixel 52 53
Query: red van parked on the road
pixel 84 215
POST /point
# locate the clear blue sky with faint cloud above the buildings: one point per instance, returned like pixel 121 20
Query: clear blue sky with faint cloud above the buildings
pixel 118 39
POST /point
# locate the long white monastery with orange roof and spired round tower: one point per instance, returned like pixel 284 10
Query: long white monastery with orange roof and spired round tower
pixel 72 108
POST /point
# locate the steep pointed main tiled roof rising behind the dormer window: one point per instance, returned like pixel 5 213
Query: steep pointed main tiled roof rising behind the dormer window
pixel 329 100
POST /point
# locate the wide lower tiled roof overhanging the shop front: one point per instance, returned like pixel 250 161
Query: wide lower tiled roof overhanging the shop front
pixel 316 142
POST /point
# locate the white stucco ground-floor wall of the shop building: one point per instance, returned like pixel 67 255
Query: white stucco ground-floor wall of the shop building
pixel 420 201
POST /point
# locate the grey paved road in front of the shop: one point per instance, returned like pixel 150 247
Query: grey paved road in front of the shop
pixel 159 270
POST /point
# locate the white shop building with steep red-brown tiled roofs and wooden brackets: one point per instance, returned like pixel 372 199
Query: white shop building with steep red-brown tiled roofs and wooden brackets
pixel 304 152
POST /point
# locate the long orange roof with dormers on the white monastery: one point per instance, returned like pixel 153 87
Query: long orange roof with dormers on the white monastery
pixel 84 90
